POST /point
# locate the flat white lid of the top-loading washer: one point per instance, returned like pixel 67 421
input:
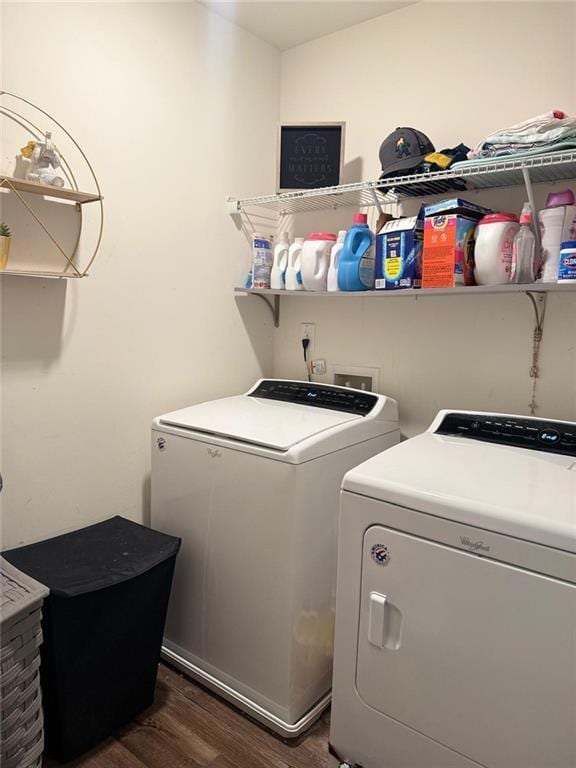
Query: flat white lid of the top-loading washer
pixel 270 423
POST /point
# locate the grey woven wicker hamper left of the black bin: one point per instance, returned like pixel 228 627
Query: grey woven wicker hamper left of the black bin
pixel 21 731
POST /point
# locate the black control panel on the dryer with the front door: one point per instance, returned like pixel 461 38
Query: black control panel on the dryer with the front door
pixel 548 436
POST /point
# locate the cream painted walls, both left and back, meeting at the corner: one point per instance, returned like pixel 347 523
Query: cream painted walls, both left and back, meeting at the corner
pixel 177 109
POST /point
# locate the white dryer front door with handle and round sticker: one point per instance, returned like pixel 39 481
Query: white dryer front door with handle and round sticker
pixel 475 654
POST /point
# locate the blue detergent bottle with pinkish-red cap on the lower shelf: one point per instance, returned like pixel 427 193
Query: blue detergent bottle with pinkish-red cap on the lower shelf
pixel 356 262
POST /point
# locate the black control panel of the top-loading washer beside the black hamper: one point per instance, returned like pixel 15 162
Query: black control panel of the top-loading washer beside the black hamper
pixel 318 395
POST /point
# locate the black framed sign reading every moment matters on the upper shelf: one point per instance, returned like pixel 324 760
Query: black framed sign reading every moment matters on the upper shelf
pixel 310 156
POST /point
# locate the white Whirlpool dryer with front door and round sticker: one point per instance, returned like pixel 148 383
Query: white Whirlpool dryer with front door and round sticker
pixel 456 601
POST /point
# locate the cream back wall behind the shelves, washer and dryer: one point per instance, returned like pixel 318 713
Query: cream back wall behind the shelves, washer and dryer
pixel 456 71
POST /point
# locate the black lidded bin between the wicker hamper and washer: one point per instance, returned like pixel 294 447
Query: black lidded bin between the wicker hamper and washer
pixel 103 624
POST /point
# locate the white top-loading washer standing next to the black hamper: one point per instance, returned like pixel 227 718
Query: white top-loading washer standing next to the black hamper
pixel 251 484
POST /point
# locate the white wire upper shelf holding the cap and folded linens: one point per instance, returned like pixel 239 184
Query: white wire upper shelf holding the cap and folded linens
pixel 508 172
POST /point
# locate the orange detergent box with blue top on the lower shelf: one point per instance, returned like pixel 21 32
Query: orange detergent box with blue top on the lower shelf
pixel 448 254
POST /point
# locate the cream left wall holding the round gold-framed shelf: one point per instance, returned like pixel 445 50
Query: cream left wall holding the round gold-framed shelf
pixel 176 108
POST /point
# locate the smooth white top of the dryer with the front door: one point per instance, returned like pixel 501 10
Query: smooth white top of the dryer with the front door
pixel 525 493
